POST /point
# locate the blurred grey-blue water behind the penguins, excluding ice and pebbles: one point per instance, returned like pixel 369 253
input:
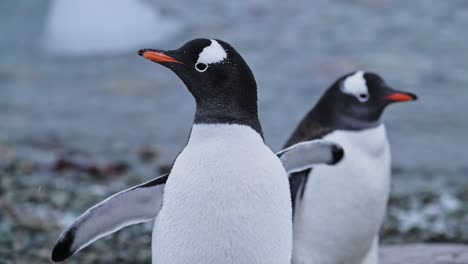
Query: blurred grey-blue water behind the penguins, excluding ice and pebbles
pixel 110 105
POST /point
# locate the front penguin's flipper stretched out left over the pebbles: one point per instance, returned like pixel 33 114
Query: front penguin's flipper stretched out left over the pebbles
pixel 132 206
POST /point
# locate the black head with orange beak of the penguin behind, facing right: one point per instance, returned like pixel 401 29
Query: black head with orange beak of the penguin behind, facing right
pixel 357 101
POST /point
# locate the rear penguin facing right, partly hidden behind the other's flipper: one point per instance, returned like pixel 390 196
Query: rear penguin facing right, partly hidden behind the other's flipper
pixel 338 210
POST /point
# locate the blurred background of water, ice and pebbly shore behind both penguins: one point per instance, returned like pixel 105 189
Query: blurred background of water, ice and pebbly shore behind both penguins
pixel 82 116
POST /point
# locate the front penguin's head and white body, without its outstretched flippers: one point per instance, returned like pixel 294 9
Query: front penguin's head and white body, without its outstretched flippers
pixel 226 199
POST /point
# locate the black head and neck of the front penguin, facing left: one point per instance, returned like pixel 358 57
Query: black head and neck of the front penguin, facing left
pixel 217 76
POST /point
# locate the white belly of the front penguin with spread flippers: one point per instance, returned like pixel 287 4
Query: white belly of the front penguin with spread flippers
pixel 226 200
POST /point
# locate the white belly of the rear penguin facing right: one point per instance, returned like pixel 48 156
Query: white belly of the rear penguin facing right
pixel 344 205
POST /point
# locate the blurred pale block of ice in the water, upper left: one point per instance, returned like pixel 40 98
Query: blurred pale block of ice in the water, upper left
pixel 106 26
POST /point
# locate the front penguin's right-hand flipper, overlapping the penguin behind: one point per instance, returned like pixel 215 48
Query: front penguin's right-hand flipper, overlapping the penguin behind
pixel 305 155
